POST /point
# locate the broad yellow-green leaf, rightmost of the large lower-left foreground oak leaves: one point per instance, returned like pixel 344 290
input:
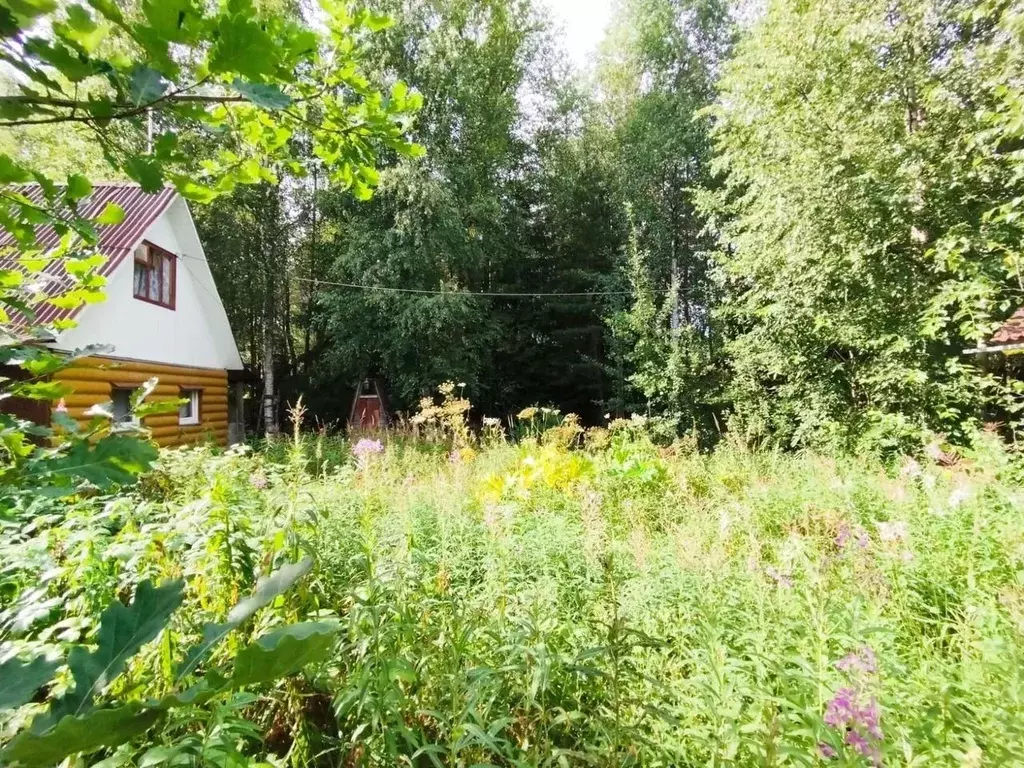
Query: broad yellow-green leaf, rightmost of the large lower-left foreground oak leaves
pixel 283 653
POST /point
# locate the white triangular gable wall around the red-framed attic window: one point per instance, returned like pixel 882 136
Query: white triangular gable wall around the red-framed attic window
pixel 196 333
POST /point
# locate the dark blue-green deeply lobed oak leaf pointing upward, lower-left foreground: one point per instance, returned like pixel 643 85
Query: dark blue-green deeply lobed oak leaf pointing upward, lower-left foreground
pixel 123 630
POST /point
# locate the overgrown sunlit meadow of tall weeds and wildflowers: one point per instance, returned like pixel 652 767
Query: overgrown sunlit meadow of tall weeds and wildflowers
pixel 567 599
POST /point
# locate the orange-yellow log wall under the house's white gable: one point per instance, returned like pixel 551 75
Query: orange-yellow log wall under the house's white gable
pixel 95 379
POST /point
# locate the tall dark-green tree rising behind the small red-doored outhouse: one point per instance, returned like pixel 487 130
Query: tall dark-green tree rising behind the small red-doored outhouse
pixel 450 223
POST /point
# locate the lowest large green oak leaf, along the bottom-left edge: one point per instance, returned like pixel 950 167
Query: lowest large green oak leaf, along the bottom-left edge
pixel 74 735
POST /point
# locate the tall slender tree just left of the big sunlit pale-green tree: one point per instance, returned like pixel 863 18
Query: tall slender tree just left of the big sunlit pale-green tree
pixel 657 75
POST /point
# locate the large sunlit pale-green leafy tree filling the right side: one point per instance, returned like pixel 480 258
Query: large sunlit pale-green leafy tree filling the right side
pixel 865 252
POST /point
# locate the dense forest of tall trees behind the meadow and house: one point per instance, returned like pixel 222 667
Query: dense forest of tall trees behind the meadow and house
pixel 786 220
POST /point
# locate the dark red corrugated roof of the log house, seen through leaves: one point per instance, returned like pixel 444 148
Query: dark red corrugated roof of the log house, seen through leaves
pixel 116 241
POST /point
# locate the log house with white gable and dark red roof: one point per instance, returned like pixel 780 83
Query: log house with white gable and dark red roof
pixel 162 318
